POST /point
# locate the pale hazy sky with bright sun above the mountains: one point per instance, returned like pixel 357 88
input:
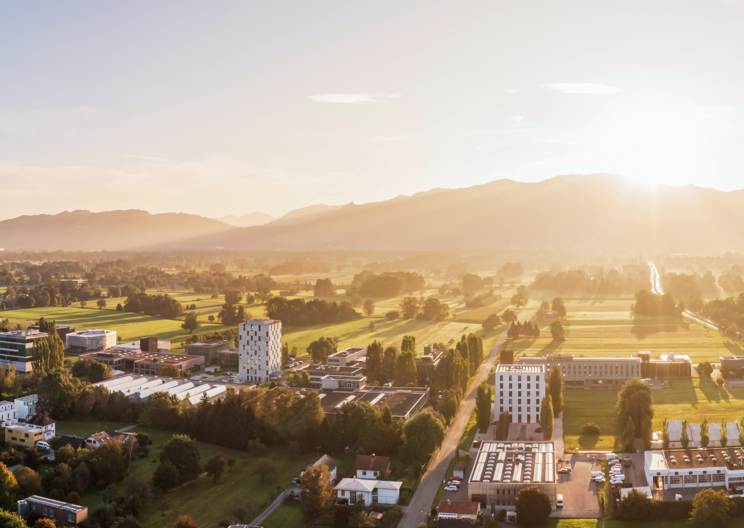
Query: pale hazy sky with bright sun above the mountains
pixel 218 108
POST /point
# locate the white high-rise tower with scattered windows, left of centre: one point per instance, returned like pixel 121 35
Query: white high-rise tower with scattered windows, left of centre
pixel 260 350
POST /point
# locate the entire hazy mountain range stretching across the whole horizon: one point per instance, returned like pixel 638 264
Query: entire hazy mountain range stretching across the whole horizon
pixel 585 213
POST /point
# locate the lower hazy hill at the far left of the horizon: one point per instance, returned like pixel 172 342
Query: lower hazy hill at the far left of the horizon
pixel 110 230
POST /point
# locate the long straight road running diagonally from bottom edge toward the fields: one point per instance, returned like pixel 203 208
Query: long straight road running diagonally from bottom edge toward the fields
pixel 415 513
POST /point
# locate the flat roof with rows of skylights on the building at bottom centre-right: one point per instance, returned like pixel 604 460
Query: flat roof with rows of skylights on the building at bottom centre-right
pixel 514 462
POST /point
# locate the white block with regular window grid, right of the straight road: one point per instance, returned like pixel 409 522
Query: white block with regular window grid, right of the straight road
pixel 519 390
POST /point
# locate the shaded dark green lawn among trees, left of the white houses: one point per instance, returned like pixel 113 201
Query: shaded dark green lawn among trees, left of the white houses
pixel 202 499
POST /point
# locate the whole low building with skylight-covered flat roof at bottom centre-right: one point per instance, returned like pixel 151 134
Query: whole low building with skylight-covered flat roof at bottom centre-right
pixel 502 469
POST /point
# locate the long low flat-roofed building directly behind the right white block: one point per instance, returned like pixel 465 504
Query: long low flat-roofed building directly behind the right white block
pixel 593 372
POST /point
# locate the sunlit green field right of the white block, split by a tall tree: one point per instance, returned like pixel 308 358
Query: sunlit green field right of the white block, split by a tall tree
pixel 688 399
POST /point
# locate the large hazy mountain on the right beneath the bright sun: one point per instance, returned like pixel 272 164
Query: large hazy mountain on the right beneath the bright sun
pixel 576 212
